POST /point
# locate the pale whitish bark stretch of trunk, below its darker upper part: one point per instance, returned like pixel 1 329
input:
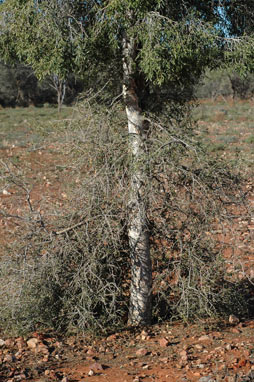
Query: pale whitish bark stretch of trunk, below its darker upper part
pixel 141 286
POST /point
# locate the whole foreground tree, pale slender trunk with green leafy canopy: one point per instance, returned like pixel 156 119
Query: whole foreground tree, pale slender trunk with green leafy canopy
pixel 146 46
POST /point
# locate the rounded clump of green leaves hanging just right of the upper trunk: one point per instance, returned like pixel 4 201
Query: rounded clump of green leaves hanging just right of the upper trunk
pixel 176 51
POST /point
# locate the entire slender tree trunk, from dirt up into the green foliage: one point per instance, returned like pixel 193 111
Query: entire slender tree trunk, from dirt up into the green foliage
pixel 138 232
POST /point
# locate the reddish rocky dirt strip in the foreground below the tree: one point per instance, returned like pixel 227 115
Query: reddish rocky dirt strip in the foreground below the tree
pixel 159 353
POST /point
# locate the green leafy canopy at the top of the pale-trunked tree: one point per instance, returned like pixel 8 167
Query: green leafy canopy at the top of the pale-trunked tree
pixel 173 44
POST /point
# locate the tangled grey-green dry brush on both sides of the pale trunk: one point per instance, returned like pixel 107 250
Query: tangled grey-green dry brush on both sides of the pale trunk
pixel 70 270
